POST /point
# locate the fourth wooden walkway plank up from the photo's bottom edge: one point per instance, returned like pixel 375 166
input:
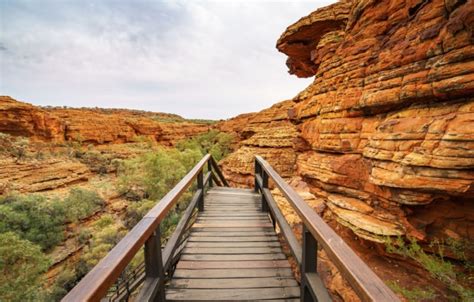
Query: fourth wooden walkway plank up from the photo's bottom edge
pixel 233 264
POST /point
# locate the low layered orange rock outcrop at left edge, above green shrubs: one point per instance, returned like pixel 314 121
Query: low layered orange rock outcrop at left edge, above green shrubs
pixel 37 176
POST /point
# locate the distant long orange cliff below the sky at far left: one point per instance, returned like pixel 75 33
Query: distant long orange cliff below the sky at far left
pixel 94 126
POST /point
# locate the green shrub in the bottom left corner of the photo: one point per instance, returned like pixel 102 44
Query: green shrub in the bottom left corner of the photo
pixel 22 265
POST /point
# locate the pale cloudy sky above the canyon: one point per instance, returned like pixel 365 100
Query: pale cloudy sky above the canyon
pixel 198 59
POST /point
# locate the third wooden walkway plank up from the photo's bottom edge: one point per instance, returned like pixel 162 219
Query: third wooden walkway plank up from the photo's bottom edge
pixel 233 273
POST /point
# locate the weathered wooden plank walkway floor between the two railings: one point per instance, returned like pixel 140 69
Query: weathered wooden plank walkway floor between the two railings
pixel 233 253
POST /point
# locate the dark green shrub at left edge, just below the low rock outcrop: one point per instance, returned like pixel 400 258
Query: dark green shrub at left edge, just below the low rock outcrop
pixel 33 218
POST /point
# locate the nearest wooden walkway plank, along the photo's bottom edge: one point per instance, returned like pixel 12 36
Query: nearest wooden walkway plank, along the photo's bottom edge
pixel 230 294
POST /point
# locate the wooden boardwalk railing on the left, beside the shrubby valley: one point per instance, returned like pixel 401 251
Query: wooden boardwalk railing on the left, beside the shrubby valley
pixel 146 233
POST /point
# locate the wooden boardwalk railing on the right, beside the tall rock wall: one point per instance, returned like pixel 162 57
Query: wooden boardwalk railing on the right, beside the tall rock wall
pixel 363 280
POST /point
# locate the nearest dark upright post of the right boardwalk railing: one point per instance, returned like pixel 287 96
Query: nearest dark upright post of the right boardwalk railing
pixel 309 262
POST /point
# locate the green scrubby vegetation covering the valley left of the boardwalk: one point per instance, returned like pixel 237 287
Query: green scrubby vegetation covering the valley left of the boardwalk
pixel 44 223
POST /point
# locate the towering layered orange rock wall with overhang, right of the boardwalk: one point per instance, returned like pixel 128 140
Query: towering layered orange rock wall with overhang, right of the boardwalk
pixel 385 133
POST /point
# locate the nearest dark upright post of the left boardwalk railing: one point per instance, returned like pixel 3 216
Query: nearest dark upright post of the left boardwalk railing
pixel 154 262
